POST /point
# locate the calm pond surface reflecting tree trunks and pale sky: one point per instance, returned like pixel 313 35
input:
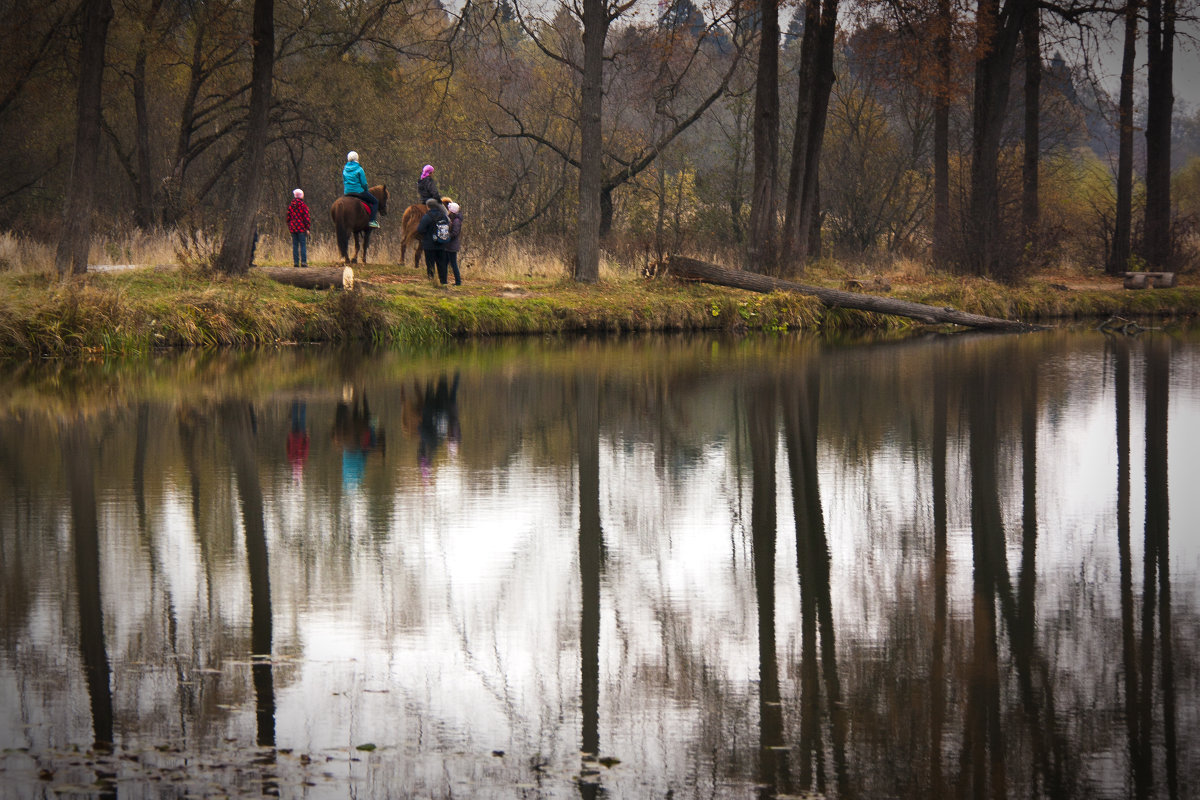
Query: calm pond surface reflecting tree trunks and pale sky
pixel 661 568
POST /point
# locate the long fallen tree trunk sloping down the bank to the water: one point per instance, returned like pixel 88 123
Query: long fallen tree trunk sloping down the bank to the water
pixel 694 270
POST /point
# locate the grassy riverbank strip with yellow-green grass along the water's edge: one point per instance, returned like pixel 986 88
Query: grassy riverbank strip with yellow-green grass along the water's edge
pixel 136 311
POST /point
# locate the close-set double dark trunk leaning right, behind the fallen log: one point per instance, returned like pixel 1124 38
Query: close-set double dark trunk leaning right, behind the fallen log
pixel 802 227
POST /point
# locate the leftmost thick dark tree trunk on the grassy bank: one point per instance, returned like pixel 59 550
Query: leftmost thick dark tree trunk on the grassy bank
pixel 73 251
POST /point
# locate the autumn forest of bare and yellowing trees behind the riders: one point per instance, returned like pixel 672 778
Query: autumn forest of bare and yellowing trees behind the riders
pixel 981 139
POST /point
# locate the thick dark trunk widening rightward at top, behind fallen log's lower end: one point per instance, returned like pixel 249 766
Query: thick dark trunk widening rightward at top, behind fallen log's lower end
pixel 998 33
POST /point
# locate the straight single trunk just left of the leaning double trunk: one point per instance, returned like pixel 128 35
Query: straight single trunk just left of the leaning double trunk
pixel 763 255
